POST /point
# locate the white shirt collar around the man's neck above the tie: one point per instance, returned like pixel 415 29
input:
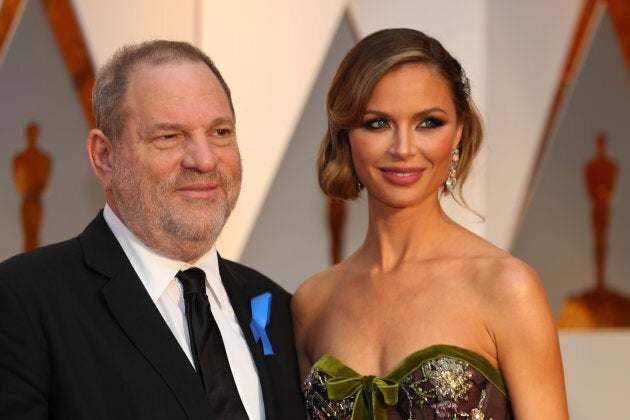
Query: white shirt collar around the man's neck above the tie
pixel 155 270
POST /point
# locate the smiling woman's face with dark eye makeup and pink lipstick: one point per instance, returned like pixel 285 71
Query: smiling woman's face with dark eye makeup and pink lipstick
pixel 402 150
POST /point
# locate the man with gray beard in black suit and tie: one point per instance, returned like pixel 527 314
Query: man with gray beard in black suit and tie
pixel 97 327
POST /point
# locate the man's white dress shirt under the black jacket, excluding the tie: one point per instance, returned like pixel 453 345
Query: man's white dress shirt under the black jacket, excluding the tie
pixel 157 273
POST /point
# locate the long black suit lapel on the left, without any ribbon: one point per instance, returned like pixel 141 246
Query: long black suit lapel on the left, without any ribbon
pixel 138 316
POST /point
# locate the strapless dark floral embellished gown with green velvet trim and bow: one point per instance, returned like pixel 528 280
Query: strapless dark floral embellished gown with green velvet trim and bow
pixel 439 382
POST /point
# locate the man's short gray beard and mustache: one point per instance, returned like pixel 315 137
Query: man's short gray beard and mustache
pixel 127 191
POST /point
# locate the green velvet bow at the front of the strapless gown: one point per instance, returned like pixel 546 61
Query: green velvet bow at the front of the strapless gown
pixel 380 391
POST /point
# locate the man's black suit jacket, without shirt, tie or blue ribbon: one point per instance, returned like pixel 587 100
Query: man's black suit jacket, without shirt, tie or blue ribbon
pixel 80 338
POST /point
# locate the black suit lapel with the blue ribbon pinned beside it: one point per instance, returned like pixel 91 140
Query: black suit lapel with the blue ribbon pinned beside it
pixel 241 291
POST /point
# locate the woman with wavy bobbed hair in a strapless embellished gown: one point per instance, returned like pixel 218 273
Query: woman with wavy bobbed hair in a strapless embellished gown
pixel 425 320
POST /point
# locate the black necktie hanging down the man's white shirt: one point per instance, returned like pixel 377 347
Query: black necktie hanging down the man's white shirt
pixel 208 349
